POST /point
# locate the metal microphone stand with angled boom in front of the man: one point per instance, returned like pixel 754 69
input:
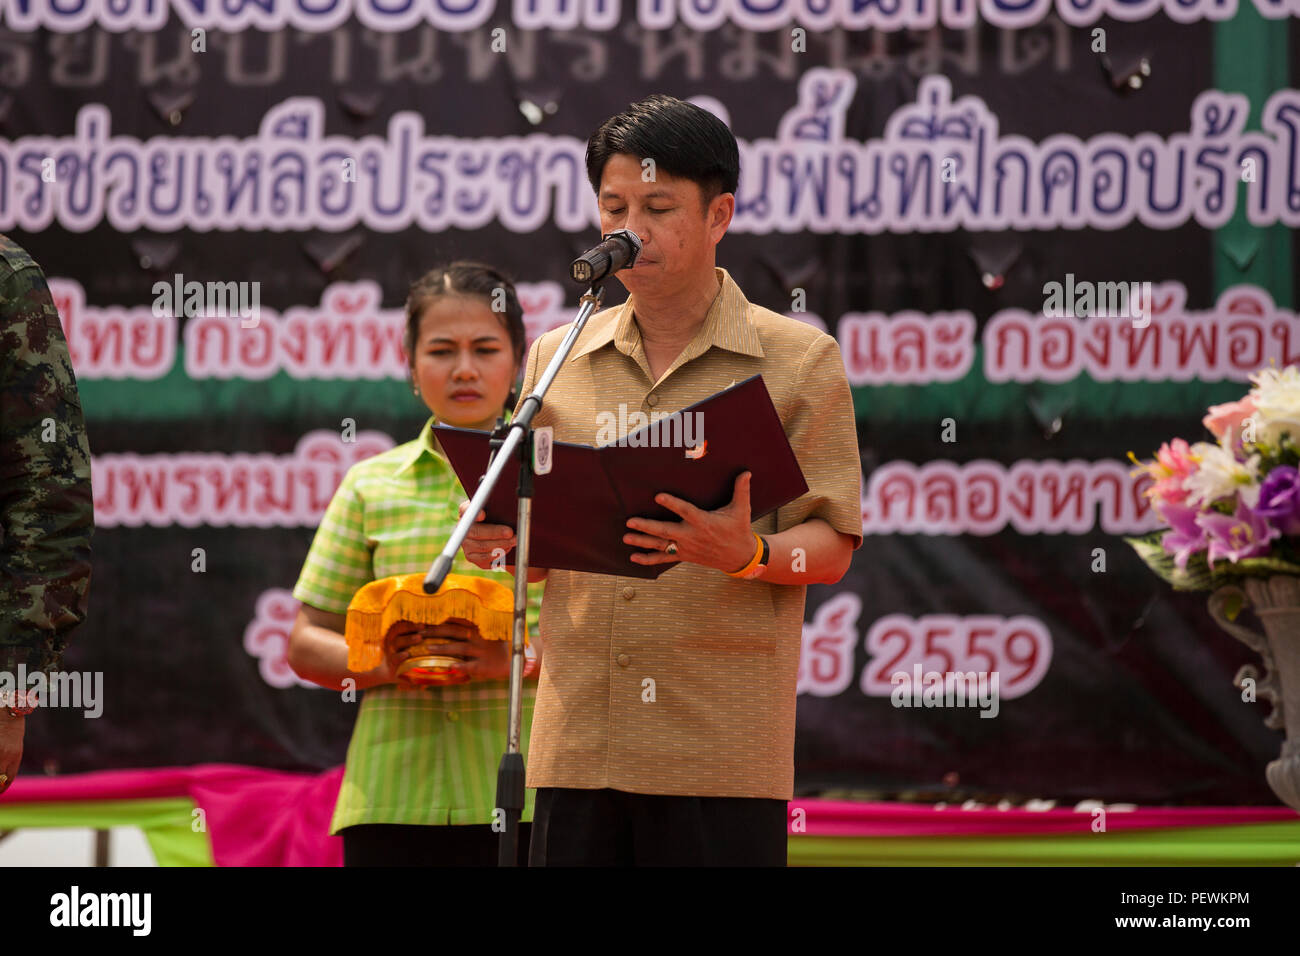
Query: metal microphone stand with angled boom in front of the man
pixel 518 436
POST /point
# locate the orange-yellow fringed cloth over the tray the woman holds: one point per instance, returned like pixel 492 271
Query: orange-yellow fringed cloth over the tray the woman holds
pixel 462 599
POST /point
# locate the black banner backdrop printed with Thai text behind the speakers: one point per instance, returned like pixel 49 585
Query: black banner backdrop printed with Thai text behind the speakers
pixel 1123 691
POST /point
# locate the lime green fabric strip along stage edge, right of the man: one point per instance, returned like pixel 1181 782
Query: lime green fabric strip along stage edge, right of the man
pixel 1251 845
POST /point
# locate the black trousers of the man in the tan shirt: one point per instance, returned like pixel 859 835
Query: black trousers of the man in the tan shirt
pixel 612 828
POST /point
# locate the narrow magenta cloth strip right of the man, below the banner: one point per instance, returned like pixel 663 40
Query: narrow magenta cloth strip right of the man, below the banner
pixel 848 819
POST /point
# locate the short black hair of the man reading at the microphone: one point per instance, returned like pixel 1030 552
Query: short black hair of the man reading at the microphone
pixel 682 139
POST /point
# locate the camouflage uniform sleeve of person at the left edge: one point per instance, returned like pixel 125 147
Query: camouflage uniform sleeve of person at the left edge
pixel 46 504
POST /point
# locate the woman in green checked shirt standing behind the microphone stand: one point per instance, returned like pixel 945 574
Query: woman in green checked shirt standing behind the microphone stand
pixel 419 786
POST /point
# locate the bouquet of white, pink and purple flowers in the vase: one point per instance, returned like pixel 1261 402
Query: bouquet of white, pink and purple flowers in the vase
pixel 1233 507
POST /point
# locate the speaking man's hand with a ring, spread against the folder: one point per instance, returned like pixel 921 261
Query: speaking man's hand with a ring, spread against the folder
pixel 718 539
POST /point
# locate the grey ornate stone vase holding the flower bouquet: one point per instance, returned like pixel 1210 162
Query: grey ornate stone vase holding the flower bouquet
pixel 1277 603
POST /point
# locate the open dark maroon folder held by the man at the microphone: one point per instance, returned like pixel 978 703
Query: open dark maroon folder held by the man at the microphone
pixel 582 508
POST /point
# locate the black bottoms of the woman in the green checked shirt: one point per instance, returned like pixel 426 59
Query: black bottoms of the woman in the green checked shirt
pixel 400 845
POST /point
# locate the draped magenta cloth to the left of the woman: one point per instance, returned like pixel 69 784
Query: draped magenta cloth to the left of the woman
pixel 254 817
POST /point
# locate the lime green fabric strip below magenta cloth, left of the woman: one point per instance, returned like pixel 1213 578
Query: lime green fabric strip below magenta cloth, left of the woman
pixel 167 824
